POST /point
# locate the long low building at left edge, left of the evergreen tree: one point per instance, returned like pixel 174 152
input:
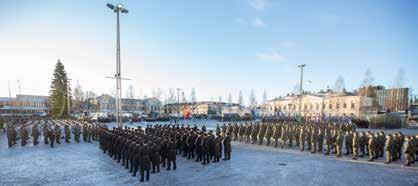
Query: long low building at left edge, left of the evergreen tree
pixel 24 105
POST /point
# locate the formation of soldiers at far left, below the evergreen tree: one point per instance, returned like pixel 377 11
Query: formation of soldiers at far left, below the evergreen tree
pixel 52 132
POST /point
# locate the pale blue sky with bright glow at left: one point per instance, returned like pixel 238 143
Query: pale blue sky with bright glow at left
pixel 218 47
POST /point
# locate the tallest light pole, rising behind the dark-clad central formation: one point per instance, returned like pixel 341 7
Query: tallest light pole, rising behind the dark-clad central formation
pixel 118 9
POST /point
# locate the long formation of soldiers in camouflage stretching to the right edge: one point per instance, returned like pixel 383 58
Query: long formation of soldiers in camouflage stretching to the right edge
pixel 327 138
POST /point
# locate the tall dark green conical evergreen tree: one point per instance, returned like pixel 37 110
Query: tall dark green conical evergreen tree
pixel 60 95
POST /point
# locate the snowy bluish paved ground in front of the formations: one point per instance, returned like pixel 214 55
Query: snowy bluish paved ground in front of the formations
pixel 85 164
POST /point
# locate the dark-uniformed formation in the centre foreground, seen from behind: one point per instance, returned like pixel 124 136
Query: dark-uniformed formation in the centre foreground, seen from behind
pixel 159 144
